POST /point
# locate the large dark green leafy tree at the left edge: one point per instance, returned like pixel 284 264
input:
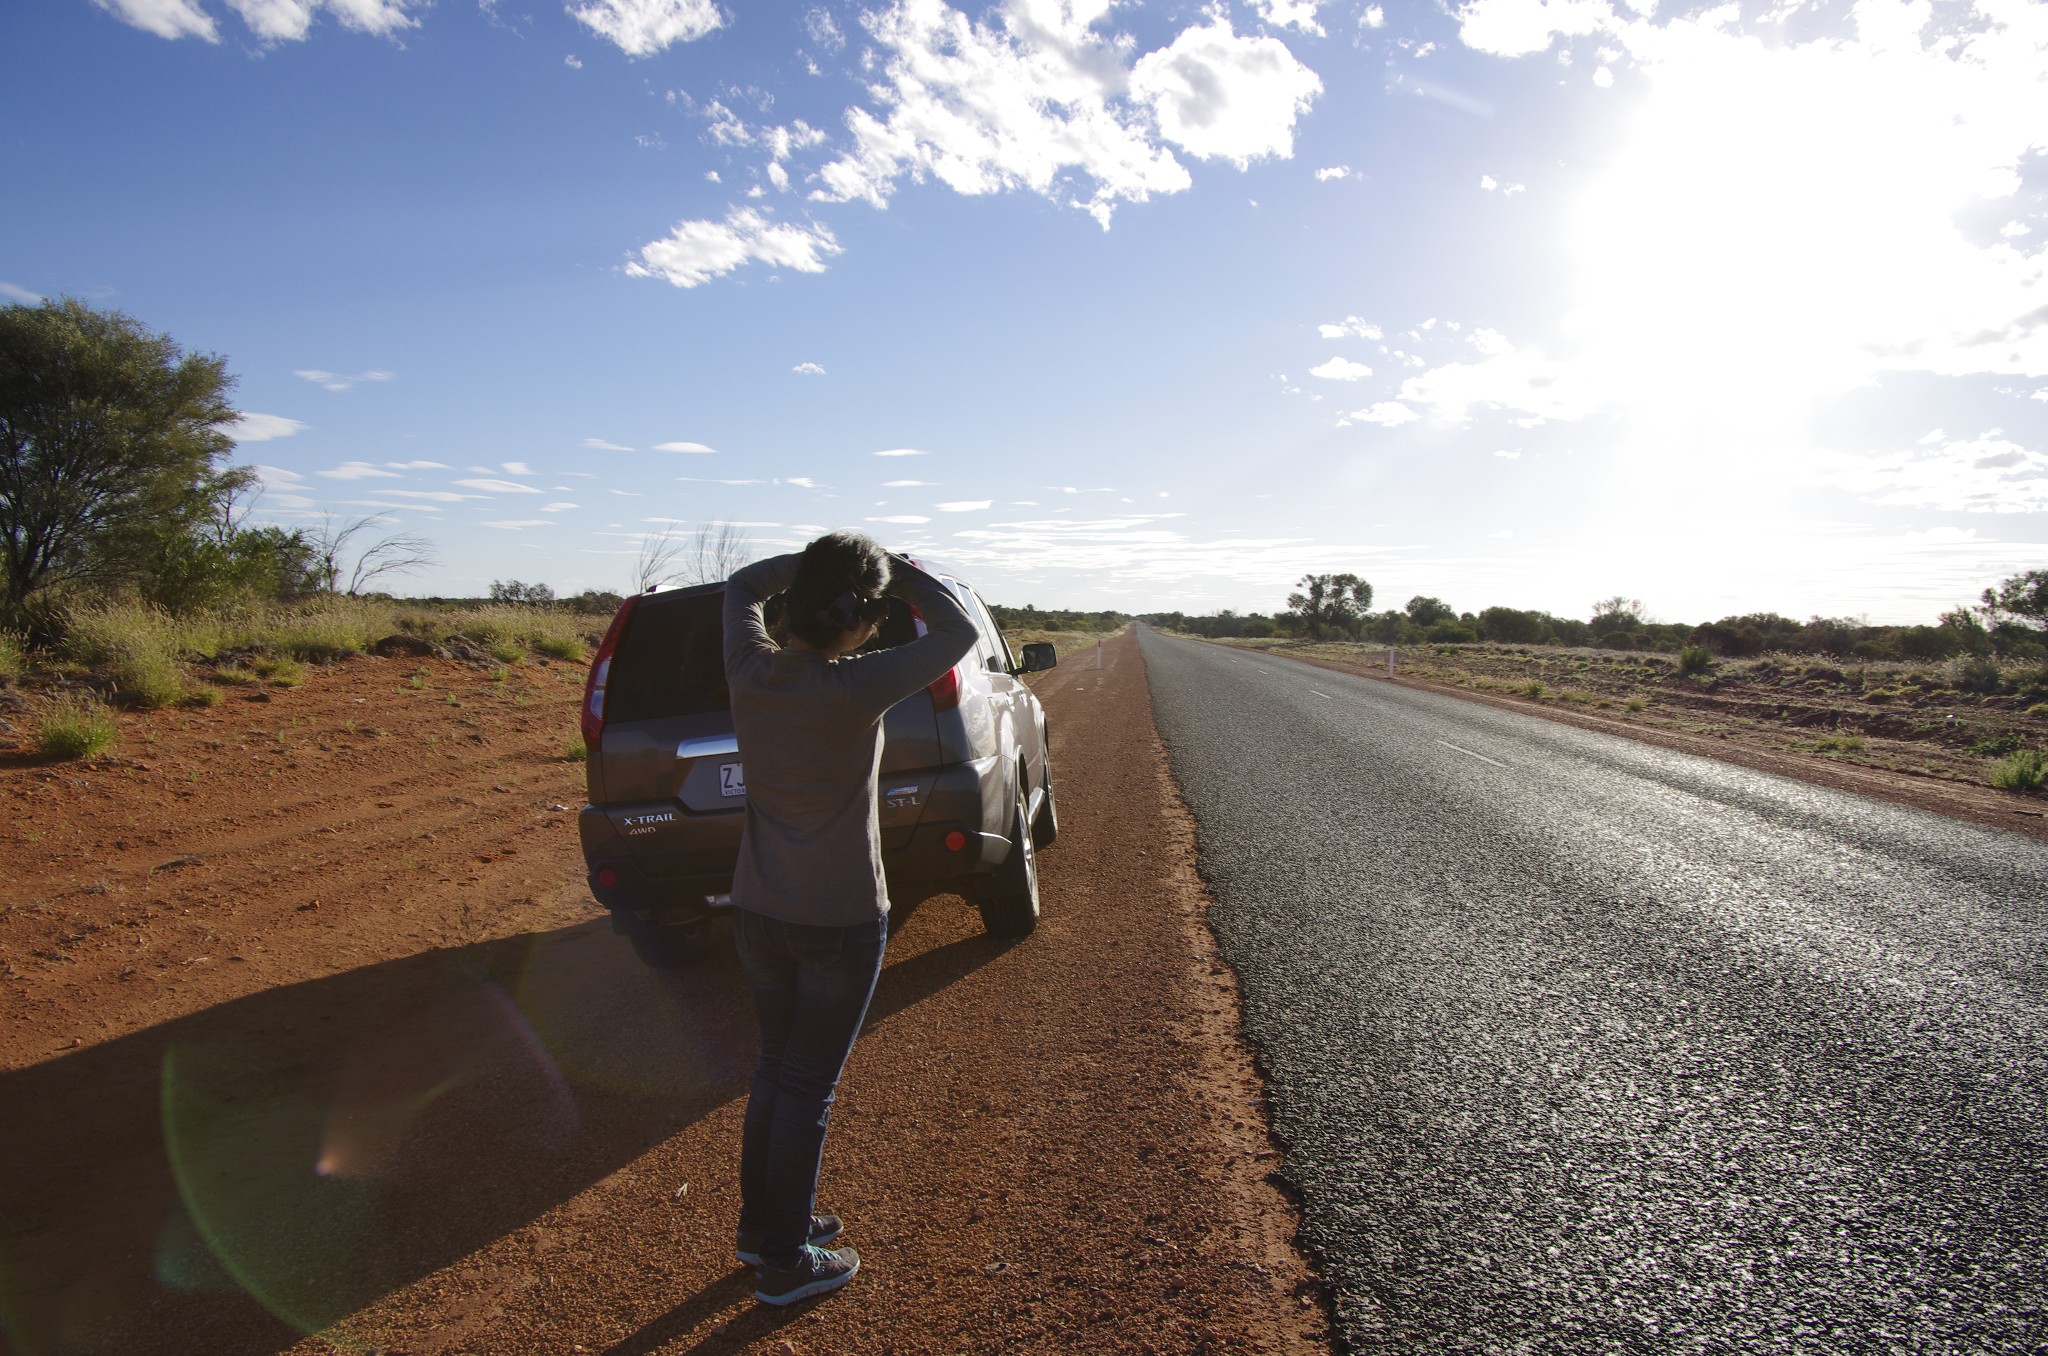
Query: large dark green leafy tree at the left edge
pixel 105 429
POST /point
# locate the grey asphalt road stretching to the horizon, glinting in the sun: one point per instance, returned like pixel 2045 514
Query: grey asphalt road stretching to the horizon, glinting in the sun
pixel 1584 1046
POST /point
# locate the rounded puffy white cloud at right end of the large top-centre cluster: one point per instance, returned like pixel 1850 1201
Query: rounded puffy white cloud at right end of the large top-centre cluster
pixel 1226 97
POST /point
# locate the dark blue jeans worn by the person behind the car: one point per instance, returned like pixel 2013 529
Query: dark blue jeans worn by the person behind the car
pixel 812 988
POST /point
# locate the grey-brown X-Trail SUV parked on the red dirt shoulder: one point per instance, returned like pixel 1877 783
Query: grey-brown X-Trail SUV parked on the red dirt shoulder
pixel 966 792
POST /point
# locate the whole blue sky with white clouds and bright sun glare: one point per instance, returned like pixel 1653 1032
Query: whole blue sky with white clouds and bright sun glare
pixel 1109 306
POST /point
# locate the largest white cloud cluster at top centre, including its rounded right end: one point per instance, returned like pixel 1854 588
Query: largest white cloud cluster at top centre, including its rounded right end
pixel 1037 99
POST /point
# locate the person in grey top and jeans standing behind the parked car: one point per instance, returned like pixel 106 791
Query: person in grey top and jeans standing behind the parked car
pixel 810 898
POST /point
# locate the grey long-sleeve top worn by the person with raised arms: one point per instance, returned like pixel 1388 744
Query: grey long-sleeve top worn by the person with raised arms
pixel 812 743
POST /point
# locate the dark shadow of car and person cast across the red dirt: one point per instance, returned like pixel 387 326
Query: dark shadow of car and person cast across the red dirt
pixel 243 1177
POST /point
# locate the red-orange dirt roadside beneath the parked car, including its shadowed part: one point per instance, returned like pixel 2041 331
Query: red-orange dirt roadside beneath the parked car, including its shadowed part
pixel 331 1040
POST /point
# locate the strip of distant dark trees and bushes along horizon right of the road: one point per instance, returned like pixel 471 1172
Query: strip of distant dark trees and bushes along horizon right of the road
pixel 2010 622
